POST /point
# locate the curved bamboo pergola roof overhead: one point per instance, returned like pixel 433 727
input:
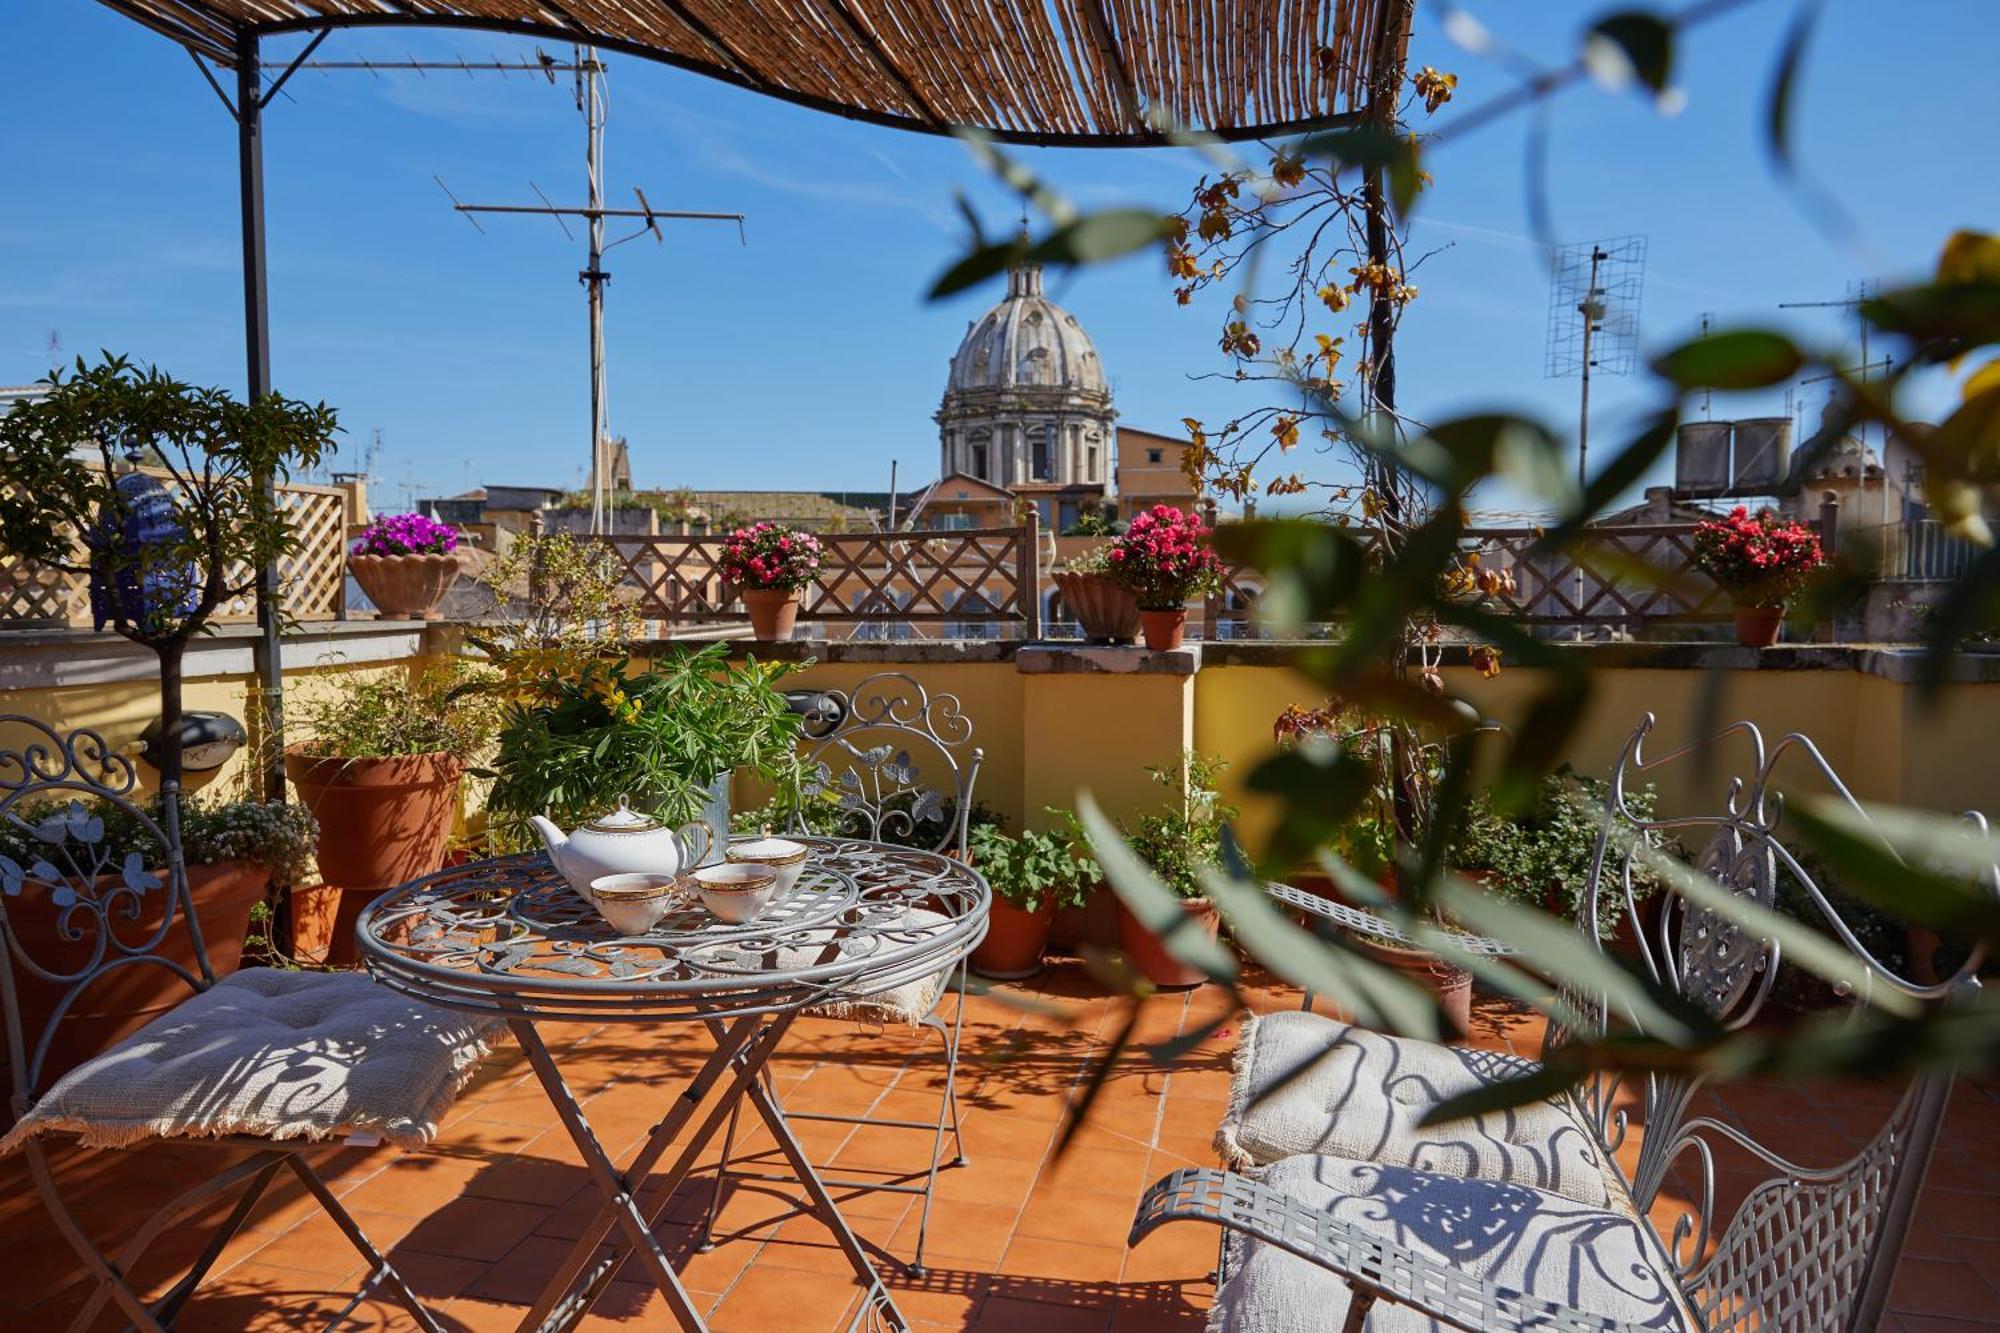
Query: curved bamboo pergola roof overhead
pixel 1061 73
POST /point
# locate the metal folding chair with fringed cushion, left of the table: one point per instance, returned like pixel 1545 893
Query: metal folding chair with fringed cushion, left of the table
pixel 263 1066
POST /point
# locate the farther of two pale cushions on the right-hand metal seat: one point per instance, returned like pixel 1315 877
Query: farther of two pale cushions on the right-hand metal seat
pixel 1307 1084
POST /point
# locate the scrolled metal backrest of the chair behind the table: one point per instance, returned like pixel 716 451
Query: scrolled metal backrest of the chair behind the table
pixel 895 766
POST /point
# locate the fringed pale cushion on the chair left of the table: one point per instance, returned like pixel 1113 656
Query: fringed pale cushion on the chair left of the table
pixel 277 1056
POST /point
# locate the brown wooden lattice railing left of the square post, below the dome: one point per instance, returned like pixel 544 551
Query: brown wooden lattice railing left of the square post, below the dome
pixel 925 577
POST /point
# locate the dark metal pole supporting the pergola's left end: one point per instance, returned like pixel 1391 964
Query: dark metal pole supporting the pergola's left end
pixel 257 361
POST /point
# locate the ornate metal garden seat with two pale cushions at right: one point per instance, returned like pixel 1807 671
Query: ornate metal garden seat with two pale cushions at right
pixel 1525 1220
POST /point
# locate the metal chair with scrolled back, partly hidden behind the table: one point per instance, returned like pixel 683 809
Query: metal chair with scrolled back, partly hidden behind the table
pixel 889 762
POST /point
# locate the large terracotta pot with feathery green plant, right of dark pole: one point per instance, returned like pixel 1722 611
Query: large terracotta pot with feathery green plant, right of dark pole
pixel 381 768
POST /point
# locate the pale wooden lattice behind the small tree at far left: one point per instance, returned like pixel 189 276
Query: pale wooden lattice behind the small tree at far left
pixel 313 577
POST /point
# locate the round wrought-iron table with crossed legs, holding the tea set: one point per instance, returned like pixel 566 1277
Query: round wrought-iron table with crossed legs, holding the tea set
pixel 509 938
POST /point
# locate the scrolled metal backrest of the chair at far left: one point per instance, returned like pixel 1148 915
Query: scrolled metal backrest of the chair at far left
pixel 81 918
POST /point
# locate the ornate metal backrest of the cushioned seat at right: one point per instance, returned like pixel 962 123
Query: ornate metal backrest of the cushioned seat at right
pixel 1807 1248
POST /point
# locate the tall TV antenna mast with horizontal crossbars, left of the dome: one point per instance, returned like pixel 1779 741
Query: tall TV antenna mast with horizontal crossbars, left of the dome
pixel 589 71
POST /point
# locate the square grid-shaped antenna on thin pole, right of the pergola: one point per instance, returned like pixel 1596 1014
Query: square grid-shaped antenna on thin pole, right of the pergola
pixel 1593 321
